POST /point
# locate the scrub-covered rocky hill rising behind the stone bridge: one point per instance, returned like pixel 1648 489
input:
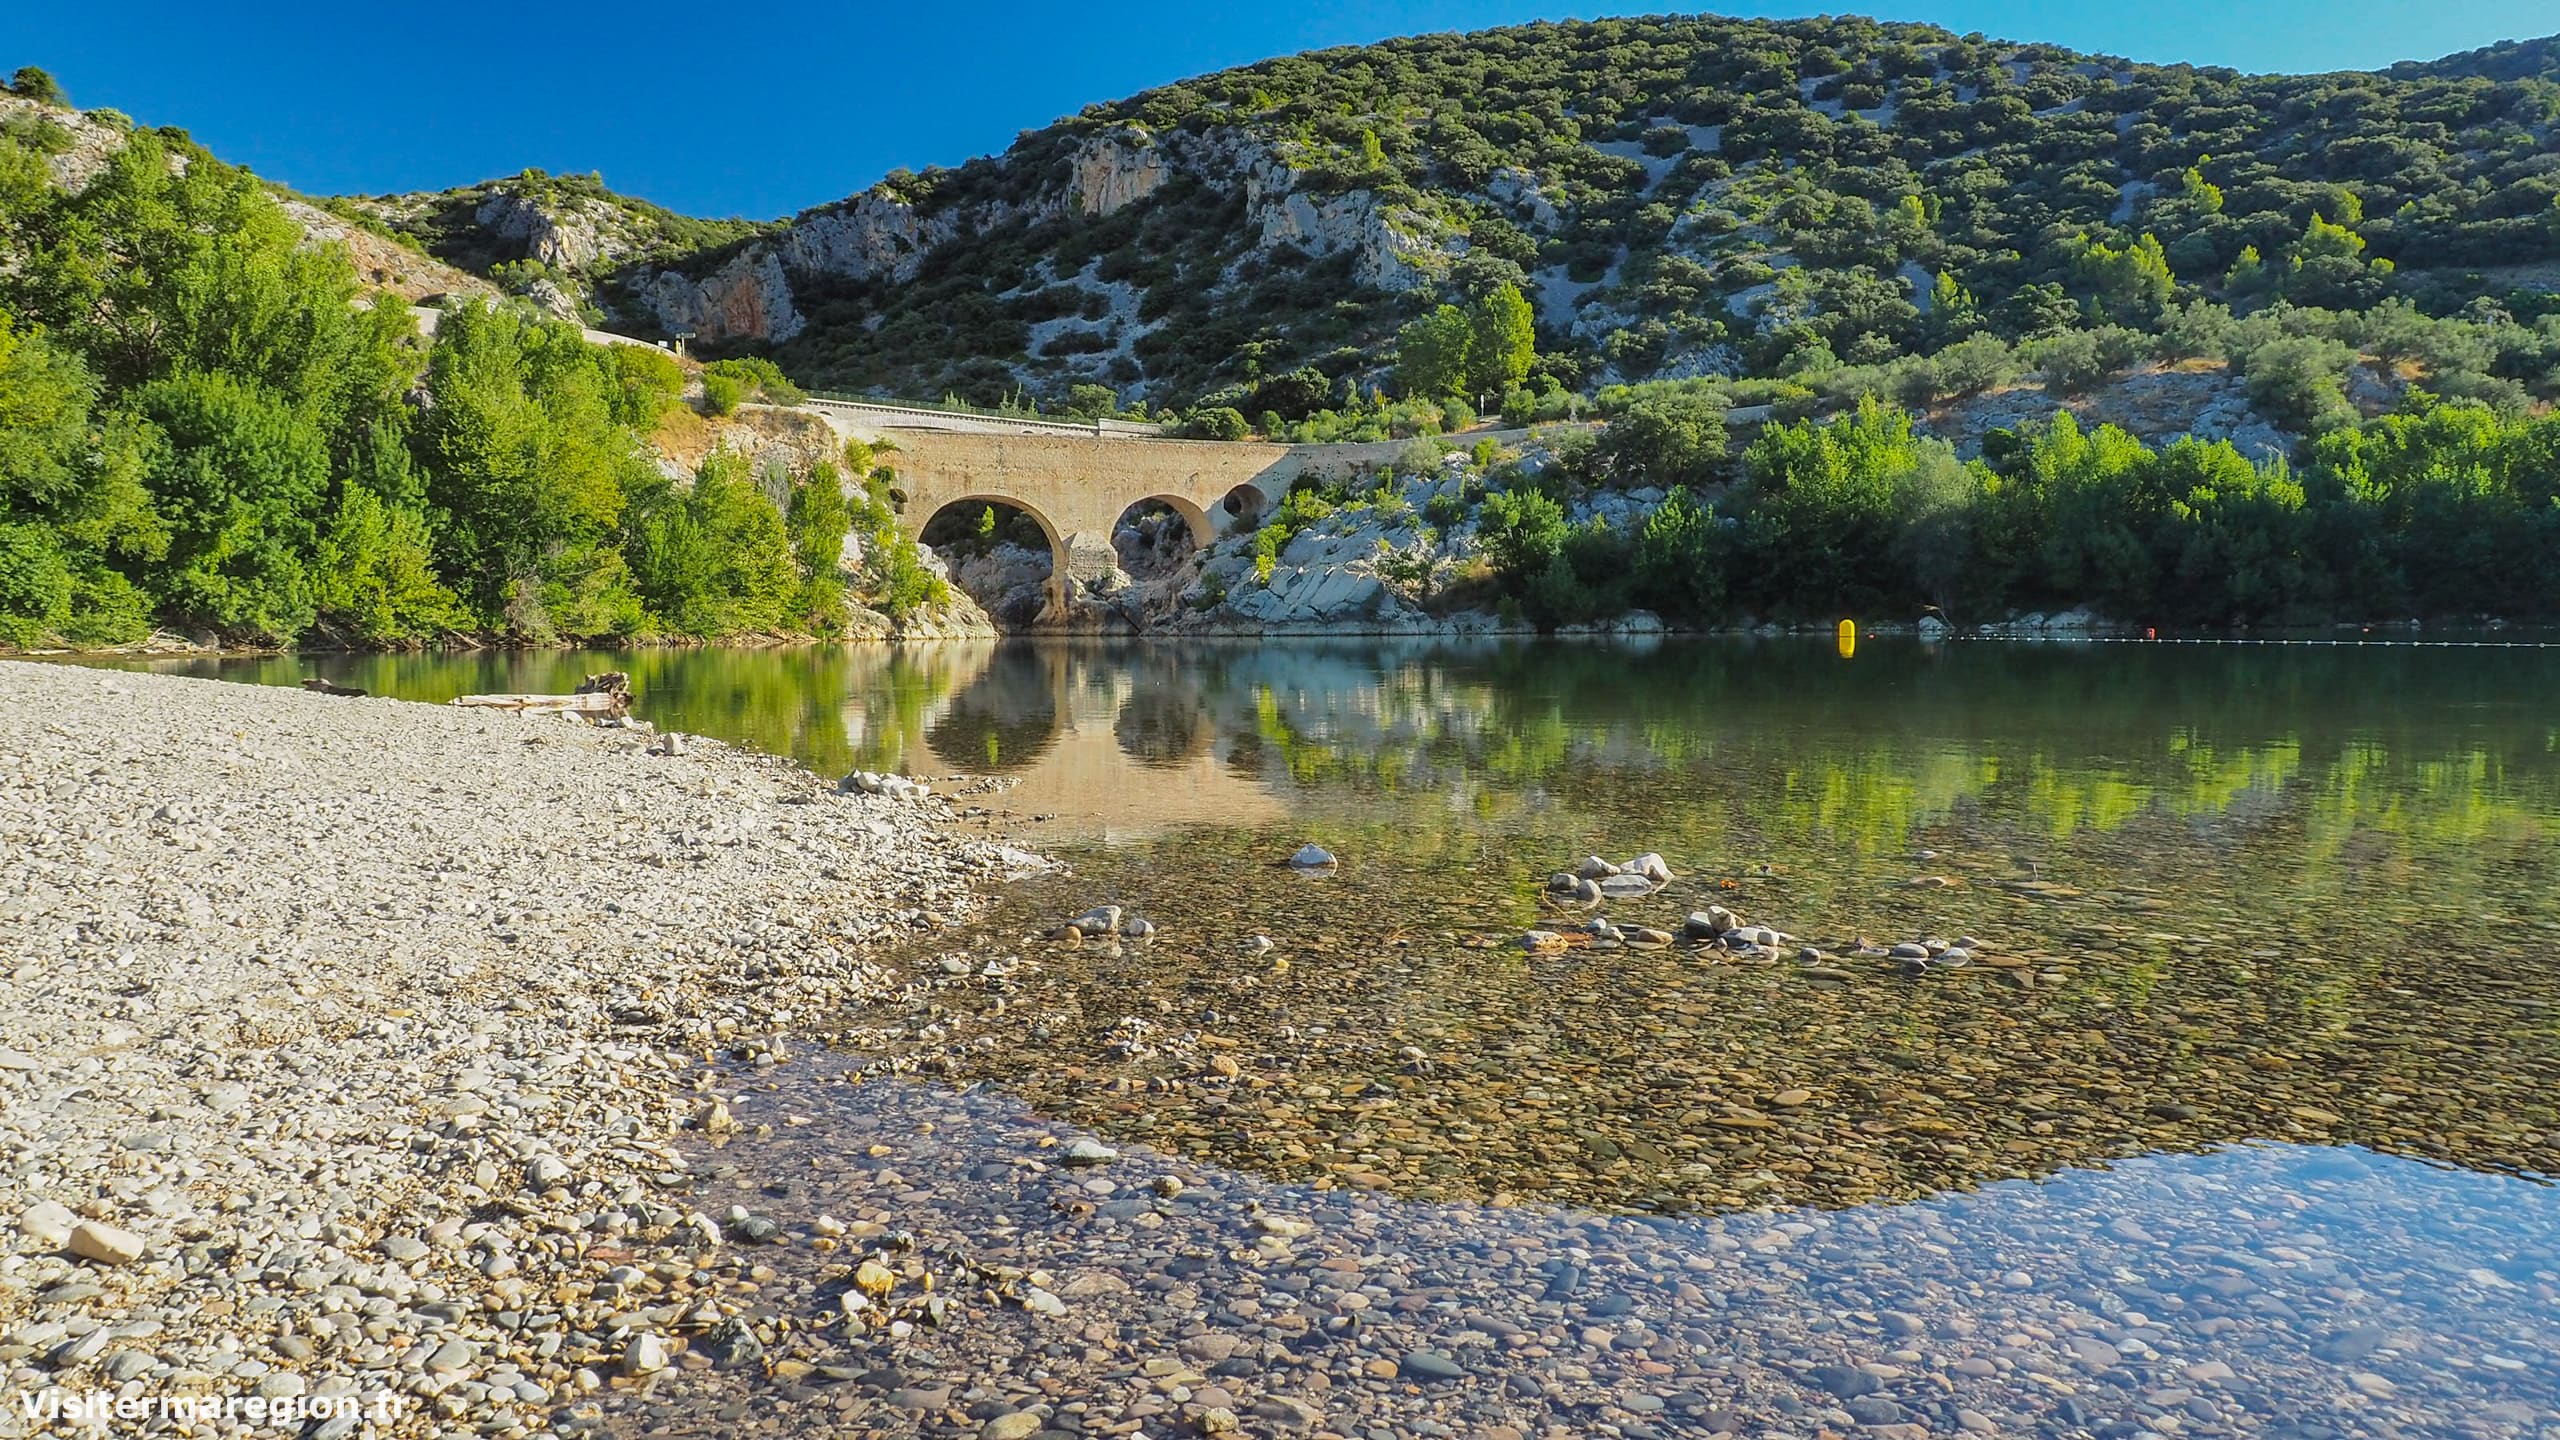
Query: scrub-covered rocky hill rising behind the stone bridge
pixel 1681 196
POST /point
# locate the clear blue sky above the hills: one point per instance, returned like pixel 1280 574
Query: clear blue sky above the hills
pixel 769 109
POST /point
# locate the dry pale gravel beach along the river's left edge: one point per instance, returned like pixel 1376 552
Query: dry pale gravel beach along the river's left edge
pixel 347 1044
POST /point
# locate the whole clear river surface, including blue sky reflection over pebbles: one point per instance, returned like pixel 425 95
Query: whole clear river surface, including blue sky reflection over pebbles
pixel 2259 1067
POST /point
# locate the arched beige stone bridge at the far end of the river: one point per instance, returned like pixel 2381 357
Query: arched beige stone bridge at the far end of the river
pixel 1079 483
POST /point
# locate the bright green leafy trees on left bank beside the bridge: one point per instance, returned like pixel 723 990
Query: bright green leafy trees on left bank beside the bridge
pixel 209 419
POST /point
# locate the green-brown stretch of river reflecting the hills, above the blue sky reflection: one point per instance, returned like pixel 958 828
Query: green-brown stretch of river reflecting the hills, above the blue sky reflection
pixel 2228 896
